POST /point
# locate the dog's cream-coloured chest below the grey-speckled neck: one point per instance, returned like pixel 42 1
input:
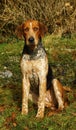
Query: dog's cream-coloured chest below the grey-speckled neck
pixel 34 70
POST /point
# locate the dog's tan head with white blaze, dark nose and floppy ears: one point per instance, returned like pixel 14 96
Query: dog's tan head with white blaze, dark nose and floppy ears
pixel 32 31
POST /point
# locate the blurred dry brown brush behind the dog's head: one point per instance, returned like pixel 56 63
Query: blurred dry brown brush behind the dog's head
pixel 58 15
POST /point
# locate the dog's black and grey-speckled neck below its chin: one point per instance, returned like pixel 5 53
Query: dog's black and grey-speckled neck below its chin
pixel 36 53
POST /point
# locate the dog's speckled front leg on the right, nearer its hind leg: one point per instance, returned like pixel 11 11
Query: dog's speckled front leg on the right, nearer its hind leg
pixel 41 101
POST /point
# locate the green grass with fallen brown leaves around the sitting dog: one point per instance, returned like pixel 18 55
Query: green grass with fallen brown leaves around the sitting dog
pixel 62 58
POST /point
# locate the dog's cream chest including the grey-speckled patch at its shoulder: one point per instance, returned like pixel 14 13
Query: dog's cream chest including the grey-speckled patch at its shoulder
pixel 34 67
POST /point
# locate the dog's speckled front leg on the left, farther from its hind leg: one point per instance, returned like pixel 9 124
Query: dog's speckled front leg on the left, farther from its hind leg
pixel 25 94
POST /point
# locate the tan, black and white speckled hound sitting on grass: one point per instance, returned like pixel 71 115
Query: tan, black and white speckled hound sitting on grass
pixel 38 83
